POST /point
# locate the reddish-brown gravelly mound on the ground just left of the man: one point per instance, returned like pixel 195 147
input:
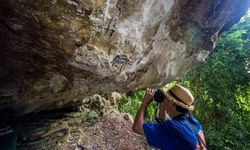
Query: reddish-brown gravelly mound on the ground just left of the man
pixel 111 132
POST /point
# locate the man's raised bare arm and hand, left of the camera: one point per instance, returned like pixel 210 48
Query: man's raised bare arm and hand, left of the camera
pixel 139 119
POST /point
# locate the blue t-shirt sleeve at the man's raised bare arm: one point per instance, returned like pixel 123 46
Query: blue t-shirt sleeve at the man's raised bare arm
pixel 153 134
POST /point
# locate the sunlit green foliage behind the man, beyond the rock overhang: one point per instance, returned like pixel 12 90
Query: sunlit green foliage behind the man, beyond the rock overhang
pixel 221 88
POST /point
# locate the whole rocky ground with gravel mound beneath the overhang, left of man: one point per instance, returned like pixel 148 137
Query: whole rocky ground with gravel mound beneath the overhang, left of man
pixel 92 126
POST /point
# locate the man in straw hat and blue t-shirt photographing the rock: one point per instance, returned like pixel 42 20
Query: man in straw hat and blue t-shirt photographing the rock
pixel 178 129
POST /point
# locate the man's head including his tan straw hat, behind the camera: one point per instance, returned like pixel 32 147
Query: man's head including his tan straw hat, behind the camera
pixel 178 99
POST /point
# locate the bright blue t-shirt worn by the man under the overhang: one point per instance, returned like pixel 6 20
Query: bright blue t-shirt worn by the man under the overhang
pixel 173 134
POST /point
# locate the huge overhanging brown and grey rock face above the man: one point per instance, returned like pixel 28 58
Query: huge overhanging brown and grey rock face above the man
pixel 56 52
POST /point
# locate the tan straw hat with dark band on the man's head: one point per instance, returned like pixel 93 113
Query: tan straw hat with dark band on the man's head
pixel 180 96
